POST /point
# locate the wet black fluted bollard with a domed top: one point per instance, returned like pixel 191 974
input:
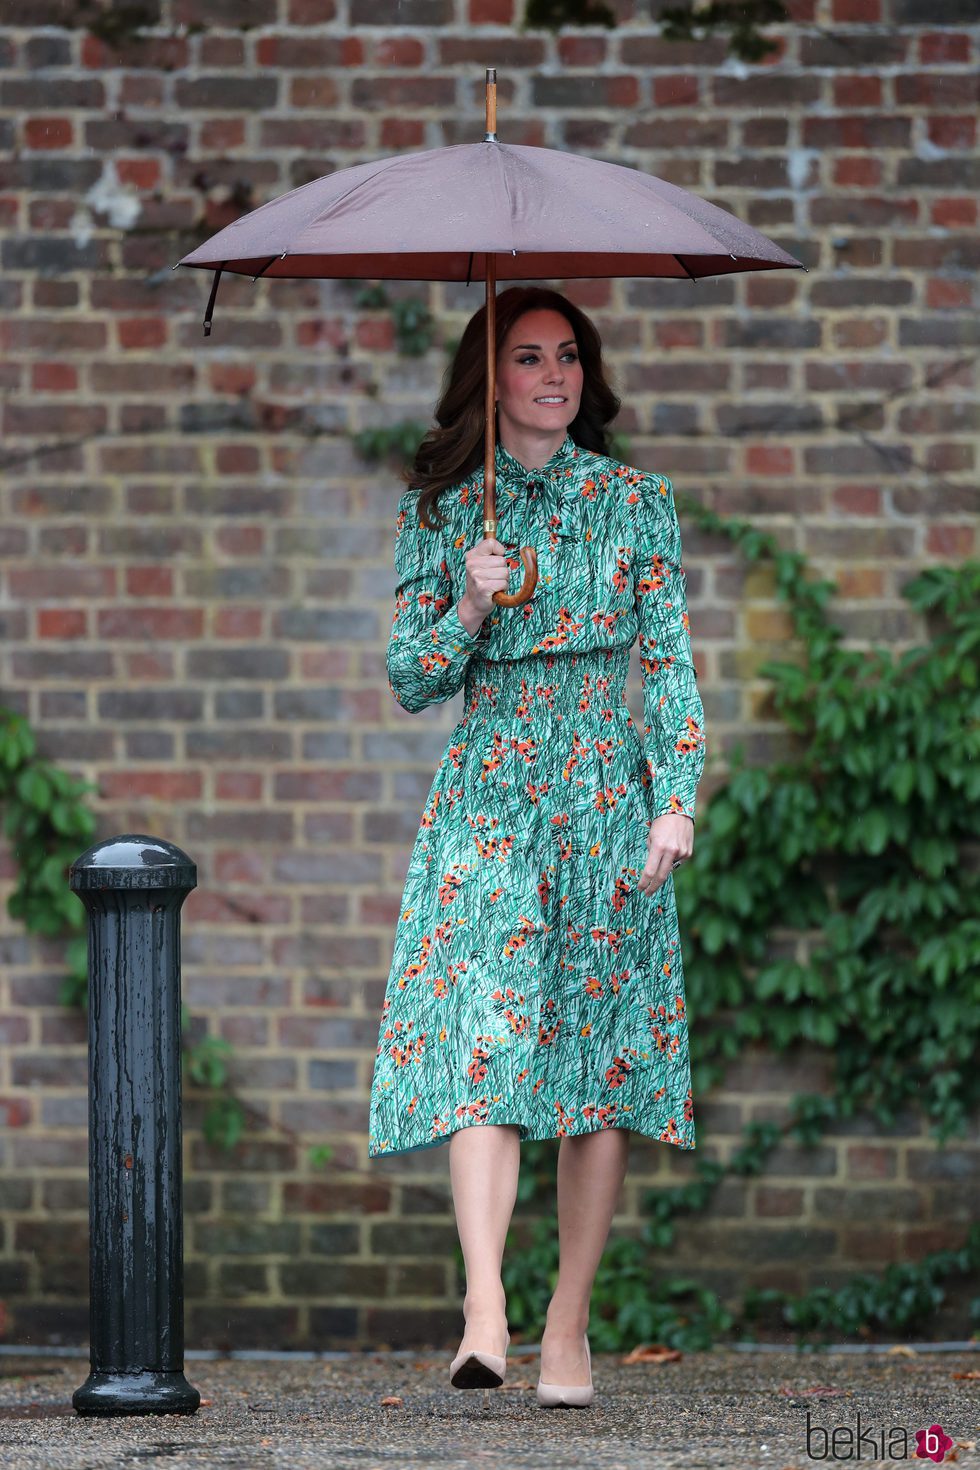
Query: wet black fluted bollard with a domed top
pixel 133 889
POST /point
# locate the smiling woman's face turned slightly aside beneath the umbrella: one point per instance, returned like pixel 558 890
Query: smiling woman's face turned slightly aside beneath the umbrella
pixel 540 359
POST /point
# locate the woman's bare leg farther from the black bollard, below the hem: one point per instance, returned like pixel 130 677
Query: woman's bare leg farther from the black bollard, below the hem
pixel 591 1172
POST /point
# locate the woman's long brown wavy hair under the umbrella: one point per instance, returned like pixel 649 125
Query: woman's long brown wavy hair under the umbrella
pixel 455 449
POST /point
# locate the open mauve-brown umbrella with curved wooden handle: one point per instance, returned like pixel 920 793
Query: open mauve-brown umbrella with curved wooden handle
pixel 487 211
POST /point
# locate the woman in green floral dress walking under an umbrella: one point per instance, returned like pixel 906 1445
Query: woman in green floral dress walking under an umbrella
pixel 537 984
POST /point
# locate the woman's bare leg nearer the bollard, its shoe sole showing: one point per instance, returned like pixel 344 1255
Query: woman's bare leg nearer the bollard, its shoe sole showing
pixel 484 1166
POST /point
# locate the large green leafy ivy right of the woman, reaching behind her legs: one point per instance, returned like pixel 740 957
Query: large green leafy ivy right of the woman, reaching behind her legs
pixel 862 842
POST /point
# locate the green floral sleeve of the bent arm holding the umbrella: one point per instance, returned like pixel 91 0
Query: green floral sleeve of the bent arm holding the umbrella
pixel 428 648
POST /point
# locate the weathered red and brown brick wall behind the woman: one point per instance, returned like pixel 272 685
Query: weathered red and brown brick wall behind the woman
pixel 198 567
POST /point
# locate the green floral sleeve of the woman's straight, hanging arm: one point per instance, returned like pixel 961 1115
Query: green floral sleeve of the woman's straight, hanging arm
pixel 674 717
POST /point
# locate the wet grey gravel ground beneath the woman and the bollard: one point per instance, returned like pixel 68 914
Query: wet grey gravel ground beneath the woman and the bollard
pixel 722 1409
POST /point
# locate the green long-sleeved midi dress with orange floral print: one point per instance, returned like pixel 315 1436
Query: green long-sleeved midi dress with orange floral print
pixel 533 983
